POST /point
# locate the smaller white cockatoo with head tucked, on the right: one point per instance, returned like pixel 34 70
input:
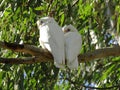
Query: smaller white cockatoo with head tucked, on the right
pixel 73 44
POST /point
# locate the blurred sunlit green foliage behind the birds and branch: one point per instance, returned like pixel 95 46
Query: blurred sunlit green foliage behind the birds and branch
pixel 98 21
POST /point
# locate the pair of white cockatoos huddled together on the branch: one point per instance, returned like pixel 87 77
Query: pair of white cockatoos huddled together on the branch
pixel 64 43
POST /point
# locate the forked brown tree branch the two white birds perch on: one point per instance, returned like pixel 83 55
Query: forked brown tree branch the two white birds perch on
pixel 41 55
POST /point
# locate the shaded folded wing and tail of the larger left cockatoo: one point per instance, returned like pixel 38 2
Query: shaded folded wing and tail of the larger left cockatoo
pixel 57 45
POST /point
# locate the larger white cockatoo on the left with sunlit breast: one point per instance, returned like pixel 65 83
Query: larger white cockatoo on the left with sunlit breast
pixel 52 39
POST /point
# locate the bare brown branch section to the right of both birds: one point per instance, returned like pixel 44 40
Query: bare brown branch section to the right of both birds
pixel 99 53
